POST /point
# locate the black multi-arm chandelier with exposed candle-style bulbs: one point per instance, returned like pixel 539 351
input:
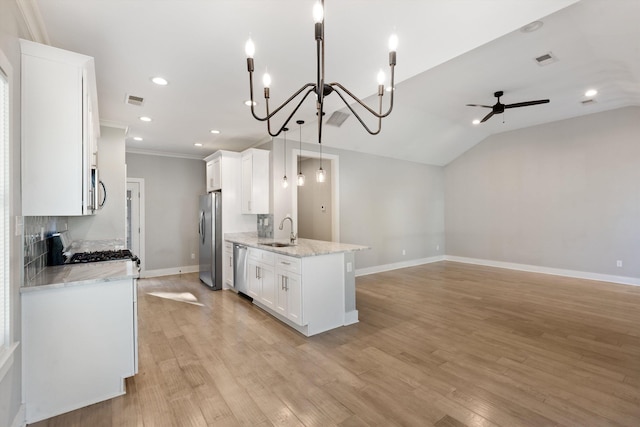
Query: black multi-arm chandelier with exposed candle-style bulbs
pixel 321 88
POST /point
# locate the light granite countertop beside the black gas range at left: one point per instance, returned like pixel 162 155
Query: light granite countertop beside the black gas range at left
pixel 62 276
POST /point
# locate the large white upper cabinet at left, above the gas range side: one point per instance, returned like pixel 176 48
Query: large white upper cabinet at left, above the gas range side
pixel 60 127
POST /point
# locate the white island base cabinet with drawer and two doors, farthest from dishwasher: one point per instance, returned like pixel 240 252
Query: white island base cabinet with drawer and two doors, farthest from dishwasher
pixel 289 289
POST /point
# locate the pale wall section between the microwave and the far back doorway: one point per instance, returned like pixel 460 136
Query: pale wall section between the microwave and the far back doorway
pixel 109 222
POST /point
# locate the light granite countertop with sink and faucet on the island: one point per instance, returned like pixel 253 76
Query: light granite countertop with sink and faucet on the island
pixel 302 248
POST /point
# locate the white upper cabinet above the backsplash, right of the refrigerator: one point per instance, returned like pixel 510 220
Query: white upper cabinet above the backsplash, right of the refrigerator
pixel 255 181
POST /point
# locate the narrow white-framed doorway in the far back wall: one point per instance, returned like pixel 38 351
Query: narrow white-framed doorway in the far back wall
pixel 135 218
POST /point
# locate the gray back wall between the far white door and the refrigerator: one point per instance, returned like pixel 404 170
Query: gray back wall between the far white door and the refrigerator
pixel 172 187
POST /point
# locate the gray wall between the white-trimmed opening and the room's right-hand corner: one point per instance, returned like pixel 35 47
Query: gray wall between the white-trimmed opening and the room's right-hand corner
pixel 391 205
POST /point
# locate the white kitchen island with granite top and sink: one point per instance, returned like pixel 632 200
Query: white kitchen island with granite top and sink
pixel 310 285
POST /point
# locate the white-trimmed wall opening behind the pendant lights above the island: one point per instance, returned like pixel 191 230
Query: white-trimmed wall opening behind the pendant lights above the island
pixel 316 204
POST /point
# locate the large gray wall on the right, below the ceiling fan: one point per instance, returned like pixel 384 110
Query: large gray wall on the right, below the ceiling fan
pixel 562 195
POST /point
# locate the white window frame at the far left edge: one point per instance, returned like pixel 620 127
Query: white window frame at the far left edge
pixel 7 347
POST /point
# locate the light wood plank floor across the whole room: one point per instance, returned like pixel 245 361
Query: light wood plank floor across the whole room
pixel 444 344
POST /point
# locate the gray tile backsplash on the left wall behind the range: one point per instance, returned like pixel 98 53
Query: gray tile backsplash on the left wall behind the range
pixel 36 231
